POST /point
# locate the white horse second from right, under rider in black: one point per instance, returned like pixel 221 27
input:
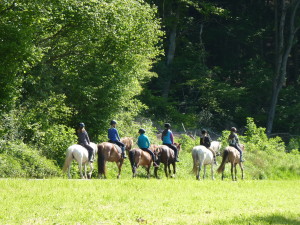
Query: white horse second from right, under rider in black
pixel 202 157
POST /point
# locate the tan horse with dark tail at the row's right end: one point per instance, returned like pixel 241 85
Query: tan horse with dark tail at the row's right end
pixel 231 155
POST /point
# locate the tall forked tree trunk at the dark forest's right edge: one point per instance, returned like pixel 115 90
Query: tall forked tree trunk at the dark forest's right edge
pixel 283 48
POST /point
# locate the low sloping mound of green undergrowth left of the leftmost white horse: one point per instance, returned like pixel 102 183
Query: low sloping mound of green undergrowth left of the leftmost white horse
pixel 19 160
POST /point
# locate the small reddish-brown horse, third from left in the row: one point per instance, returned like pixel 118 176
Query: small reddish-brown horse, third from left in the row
pixel 137 158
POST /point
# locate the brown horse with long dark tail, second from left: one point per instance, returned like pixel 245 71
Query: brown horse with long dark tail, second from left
pixel 108 152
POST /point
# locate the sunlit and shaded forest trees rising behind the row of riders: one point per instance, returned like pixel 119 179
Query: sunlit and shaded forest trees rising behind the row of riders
pixel 195 64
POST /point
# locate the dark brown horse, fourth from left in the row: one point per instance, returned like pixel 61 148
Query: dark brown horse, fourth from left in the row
pixel 167 157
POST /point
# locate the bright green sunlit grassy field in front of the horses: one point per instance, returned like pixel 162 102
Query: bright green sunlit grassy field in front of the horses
pixel 141 201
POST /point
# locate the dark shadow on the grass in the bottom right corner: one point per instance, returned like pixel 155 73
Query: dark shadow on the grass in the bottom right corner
pixel 268 219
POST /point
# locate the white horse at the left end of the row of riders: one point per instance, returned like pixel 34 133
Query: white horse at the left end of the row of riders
pixel 80 154
